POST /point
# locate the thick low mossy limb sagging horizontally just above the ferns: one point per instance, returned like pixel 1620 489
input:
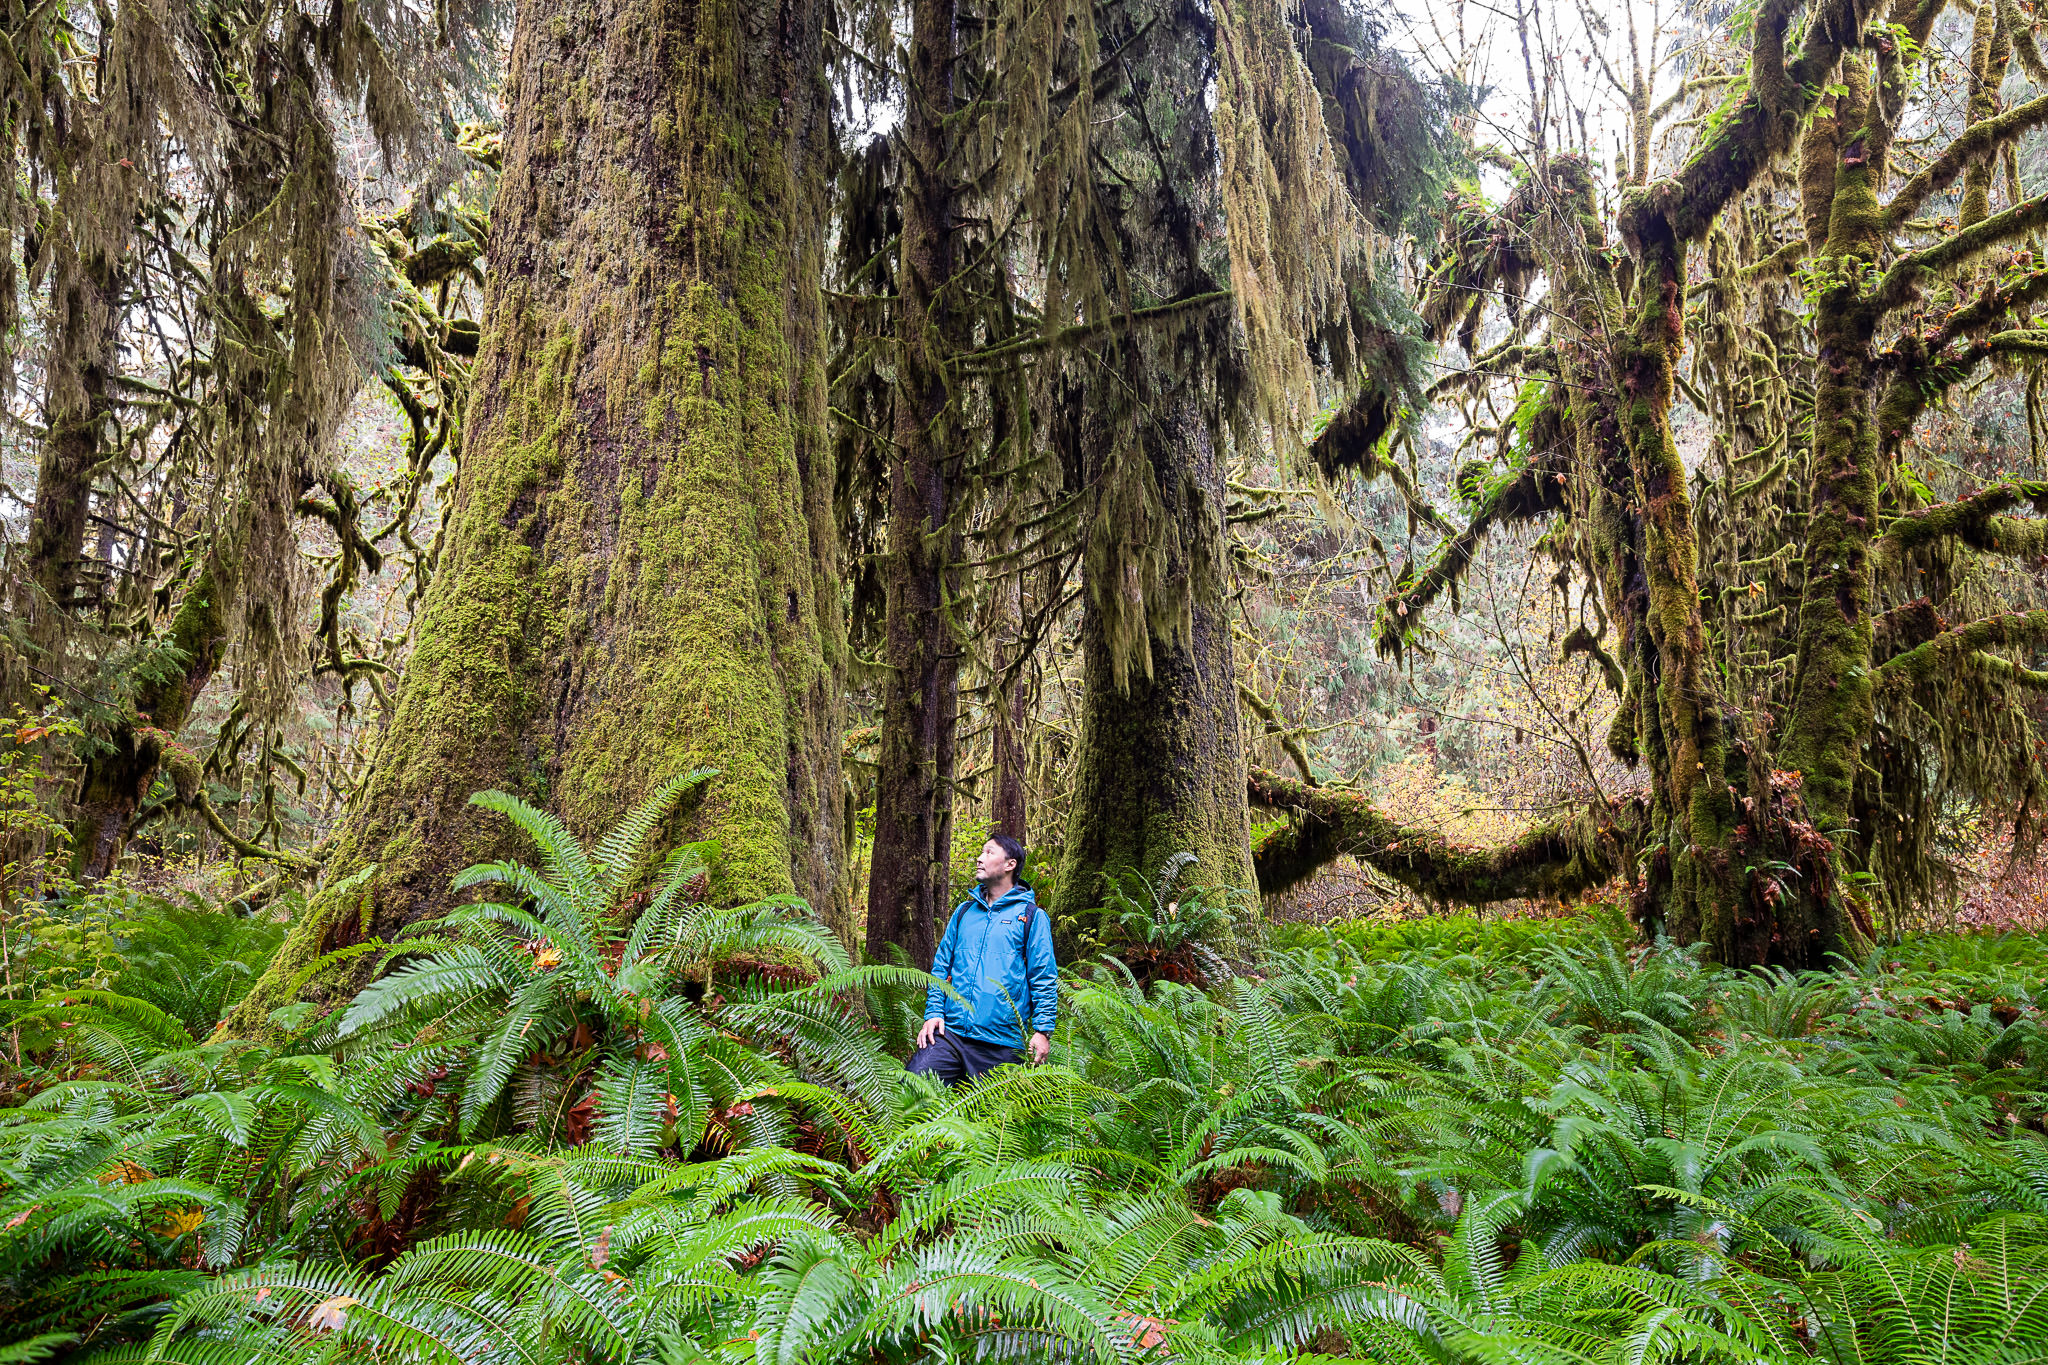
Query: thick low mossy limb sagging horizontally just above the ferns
pixel 1558 858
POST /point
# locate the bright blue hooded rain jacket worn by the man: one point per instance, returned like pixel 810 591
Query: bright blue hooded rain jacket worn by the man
pixel 1011 985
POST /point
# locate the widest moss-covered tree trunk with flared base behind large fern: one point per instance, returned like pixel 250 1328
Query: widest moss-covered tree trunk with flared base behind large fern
pixel 640 570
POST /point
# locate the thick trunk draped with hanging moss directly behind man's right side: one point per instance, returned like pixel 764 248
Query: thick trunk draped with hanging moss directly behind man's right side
pixel 1160 768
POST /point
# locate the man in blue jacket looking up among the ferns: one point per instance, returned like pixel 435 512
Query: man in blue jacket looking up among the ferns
pixel 998 955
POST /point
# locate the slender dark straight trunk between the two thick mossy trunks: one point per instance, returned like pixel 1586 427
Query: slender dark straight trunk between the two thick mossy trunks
pixel 908 877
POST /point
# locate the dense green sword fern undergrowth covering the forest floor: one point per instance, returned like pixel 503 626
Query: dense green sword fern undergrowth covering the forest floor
pixel 591 1120
